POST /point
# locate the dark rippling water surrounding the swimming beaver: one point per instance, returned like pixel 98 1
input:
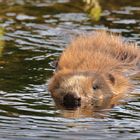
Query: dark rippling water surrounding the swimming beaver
pixel 33 33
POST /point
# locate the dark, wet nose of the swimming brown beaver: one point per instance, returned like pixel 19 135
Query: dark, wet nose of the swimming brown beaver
pixel 71 100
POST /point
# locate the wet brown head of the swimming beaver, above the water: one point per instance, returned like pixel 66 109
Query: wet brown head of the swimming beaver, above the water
pixel 72 88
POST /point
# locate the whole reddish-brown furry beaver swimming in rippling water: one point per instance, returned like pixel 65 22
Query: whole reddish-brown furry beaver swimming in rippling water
pixel 92 68
